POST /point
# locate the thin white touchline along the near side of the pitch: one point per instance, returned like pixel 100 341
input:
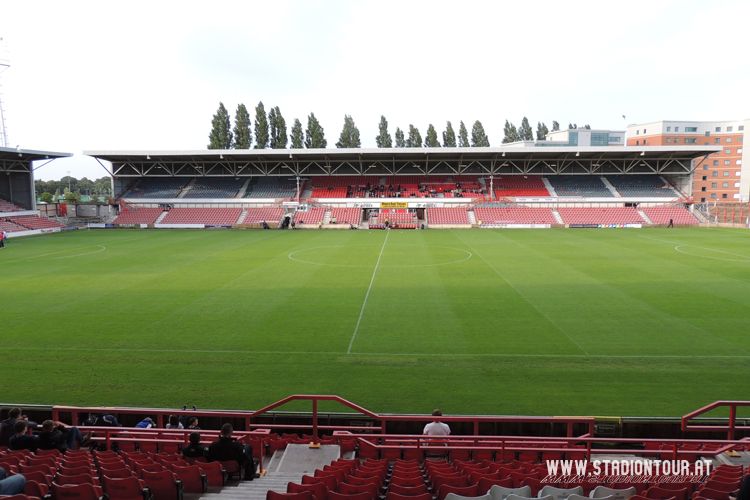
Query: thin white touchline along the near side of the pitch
pixel 383 354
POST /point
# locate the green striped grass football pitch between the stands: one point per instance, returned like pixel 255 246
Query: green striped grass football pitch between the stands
pixel 539 322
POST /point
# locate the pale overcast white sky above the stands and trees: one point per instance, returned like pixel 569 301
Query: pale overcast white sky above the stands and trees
pixel 149 75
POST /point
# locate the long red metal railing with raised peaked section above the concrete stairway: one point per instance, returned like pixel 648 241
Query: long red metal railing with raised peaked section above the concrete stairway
pixel 382 419
